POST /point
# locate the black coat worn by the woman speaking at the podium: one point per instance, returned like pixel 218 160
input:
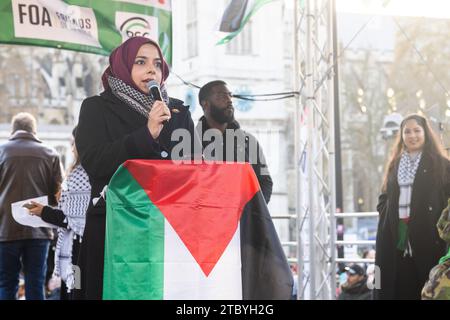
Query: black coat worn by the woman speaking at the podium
pixel 109 133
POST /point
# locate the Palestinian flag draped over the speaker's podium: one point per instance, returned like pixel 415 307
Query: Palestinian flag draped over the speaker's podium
pixel 191 231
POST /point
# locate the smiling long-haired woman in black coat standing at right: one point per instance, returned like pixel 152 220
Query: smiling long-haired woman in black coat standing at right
pixel 414 193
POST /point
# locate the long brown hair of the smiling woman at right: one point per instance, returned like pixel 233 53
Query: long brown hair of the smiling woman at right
pixel 432 147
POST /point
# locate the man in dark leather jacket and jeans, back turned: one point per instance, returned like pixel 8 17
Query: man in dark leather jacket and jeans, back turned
pixel 28 169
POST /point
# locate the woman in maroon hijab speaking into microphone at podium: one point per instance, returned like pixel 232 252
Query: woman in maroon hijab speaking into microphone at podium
pixel 124 122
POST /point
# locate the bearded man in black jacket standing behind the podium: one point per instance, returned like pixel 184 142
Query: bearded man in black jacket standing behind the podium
pixel 229 142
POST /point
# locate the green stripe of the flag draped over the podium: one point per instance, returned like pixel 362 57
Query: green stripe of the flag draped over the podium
pixel 136 248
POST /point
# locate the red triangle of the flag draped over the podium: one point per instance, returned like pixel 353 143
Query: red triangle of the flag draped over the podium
pixel 203 202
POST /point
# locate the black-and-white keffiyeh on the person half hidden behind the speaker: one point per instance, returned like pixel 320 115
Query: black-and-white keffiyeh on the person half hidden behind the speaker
pixel 75 195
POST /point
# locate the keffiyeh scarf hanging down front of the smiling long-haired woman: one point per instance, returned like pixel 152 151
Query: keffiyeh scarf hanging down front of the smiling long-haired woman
pixel 406 173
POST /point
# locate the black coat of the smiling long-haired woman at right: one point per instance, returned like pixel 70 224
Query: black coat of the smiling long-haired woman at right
pixel 428 199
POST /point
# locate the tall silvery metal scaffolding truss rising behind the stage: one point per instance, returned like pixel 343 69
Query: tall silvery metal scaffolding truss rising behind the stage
pixel 314 144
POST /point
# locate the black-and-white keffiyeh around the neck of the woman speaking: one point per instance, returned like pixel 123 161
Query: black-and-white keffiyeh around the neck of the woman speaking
pixel 138 101
